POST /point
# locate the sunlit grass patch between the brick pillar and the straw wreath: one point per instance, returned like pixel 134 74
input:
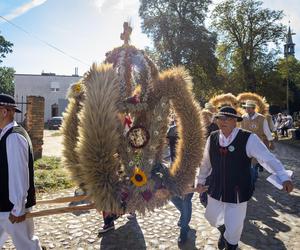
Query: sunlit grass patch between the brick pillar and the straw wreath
pixel 49 175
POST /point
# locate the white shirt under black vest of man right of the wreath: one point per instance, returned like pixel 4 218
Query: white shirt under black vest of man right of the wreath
pixel 255 148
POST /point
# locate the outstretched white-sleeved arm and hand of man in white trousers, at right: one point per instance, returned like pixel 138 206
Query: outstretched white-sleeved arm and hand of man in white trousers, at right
pixel 255 148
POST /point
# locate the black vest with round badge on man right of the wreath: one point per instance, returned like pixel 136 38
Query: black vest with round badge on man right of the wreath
pixel 231 169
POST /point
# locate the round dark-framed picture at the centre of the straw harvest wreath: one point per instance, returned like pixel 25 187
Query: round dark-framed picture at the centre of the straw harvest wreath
pixel 138 136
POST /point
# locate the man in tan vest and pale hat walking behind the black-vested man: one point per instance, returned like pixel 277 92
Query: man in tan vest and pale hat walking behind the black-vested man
pixel 258 124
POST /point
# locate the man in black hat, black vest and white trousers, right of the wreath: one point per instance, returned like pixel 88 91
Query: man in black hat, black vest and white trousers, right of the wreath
pixel 227 159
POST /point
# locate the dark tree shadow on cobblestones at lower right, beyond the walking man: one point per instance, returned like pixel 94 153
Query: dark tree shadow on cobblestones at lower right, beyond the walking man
pixel 274 201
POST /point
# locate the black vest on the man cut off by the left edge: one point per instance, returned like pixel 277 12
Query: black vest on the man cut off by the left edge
pixel 5 204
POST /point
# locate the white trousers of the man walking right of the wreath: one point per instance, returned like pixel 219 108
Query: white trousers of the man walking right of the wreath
pixel 232 215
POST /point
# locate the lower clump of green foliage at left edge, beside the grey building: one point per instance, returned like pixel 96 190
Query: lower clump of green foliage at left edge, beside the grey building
pixel 7 80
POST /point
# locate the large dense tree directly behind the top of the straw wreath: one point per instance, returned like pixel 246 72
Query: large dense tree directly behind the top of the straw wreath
pixel 180 37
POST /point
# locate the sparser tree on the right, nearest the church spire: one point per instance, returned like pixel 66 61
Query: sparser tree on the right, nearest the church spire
pixel 246 30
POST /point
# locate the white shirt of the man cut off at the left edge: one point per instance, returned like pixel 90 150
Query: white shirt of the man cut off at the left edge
pixel 18 172
